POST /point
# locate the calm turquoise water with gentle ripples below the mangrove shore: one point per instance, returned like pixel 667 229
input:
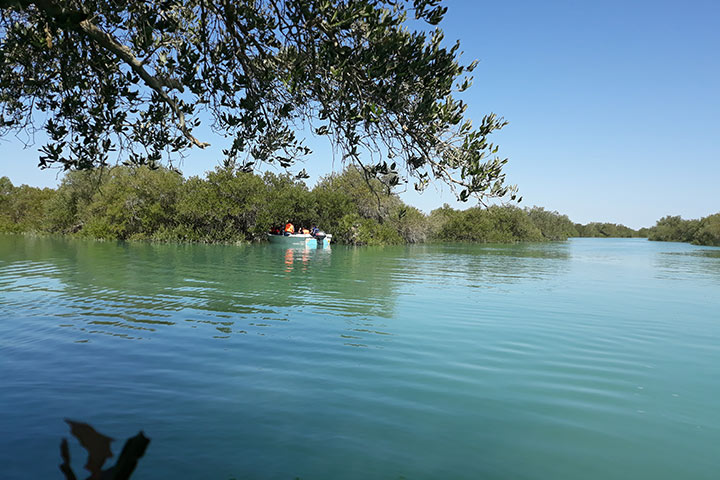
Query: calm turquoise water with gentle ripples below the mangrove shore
pixel 592 359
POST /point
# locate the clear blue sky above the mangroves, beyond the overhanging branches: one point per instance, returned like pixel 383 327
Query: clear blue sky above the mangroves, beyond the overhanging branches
pixel 614 107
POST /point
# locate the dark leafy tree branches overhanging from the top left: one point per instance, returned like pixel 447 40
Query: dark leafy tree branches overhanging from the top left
pixel 130 81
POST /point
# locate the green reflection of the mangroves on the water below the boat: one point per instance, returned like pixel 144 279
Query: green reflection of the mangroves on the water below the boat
pixel 116 288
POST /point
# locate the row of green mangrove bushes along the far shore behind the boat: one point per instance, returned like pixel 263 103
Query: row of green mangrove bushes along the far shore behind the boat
pixel 231 206
